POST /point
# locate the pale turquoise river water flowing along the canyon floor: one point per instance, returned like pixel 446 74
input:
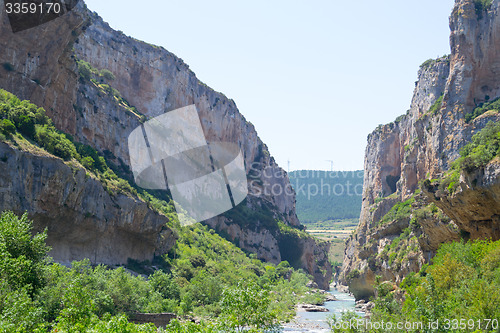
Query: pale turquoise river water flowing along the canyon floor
pixel 316 322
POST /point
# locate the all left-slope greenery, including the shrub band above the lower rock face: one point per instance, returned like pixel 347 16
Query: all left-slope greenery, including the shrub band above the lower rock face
pixel 201 275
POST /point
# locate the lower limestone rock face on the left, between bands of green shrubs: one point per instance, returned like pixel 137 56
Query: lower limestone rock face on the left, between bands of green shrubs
pixel 82 219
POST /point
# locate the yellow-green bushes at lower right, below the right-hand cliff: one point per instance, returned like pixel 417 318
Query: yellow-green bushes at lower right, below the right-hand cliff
pixel 462 283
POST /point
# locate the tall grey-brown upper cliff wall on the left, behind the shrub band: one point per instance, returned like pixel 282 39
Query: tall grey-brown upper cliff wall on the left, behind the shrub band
pixel 41 65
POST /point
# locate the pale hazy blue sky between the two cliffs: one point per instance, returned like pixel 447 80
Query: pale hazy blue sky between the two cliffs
pixel 314 77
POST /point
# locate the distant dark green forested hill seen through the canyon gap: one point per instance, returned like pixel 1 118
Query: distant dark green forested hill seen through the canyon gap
pixel 327 195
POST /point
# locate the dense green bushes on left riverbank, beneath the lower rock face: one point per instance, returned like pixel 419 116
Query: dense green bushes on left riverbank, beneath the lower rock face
pixel 204 275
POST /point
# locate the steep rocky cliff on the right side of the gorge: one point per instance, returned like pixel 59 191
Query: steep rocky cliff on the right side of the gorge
pixel 400 228
